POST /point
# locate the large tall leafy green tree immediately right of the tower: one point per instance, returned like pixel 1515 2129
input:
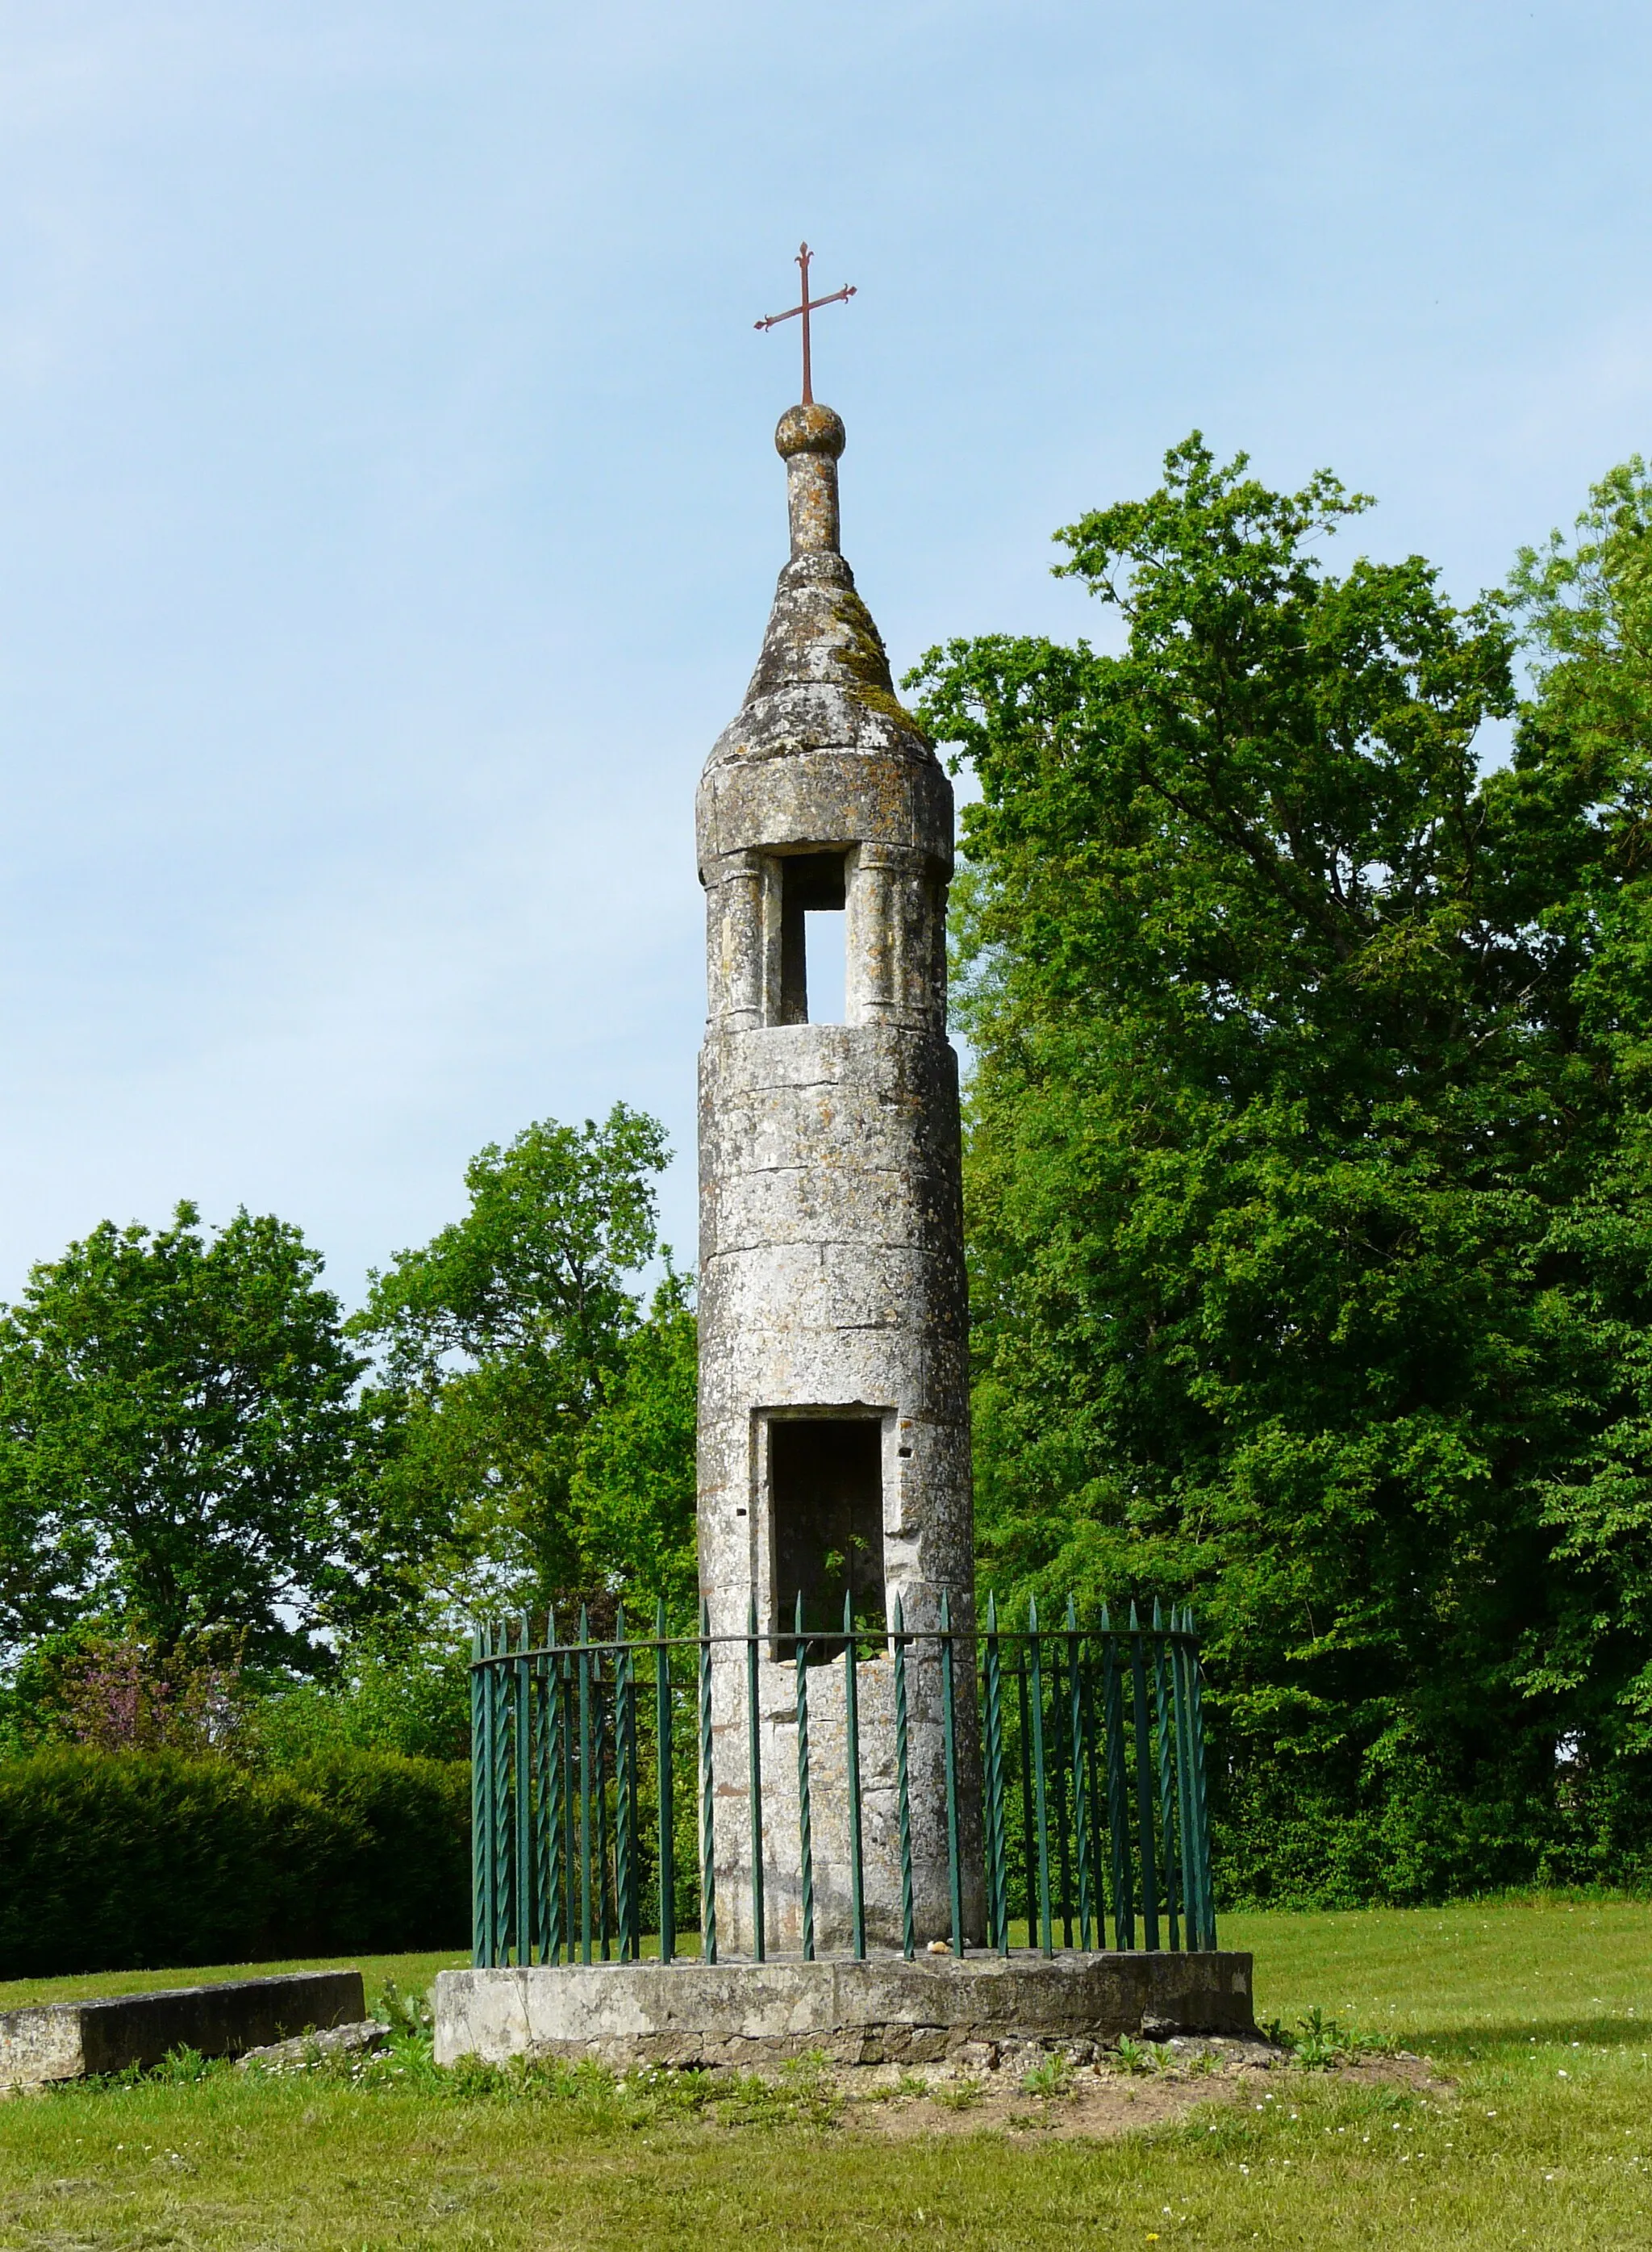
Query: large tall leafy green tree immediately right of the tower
pixel 1298 1165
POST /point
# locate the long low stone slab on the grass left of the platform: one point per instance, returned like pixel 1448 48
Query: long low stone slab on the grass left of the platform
pixel 71 2041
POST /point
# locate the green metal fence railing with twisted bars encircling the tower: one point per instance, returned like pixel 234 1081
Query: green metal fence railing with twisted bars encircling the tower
pixel 595 1782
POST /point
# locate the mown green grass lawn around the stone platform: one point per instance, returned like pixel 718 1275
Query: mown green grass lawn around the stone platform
pixel 1534 2008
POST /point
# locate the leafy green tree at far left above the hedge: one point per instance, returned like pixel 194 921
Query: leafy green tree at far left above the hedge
pixel 181 1442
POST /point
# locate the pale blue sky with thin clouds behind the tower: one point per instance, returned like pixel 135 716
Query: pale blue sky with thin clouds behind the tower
pixel 390 510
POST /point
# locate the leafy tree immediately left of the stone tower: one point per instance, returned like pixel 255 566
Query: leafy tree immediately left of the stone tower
pixel 514 1341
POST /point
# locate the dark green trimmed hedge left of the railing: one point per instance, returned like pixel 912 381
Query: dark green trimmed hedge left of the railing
pixel 134 1861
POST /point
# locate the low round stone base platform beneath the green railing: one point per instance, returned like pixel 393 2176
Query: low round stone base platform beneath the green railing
pixel 859 2012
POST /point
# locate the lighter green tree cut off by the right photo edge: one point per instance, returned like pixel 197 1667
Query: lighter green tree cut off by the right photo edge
pixel 1581 798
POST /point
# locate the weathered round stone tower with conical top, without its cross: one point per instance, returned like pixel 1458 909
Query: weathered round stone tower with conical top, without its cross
pixel 834 1386
